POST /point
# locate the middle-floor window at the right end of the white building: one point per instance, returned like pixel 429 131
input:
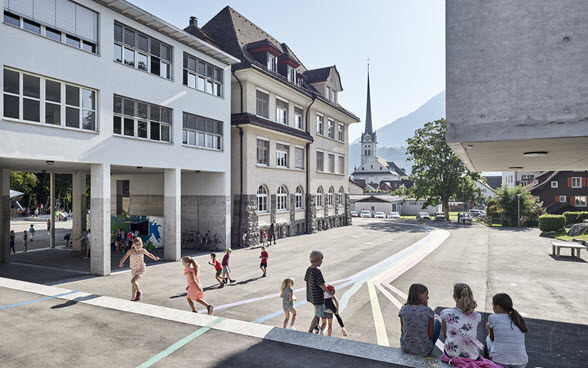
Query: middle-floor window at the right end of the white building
pixel 202 132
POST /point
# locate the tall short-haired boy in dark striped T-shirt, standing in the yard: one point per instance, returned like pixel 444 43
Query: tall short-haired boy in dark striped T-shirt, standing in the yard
pixel 315 288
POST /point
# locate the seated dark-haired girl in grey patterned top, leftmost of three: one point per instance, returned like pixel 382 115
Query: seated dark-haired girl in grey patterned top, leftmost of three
pixel 418 328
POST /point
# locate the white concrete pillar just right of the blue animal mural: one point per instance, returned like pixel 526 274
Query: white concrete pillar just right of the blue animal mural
pixel 172 214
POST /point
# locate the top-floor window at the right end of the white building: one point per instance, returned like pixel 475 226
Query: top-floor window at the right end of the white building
pixel 202 76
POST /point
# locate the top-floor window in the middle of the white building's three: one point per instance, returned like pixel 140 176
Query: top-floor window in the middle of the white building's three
pixel 141 51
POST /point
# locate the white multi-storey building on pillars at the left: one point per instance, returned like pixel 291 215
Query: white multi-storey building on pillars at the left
pixel 100 88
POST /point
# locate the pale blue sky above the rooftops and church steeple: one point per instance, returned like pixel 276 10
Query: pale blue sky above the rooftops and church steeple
pixel 404 40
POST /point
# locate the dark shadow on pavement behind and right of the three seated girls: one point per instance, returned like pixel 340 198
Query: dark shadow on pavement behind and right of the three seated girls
pixel 549 343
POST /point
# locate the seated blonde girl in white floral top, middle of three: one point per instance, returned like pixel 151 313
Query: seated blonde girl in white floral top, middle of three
pixel 460 325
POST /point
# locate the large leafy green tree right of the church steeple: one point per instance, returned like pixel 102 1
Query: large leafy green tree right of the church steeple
pixel 437 173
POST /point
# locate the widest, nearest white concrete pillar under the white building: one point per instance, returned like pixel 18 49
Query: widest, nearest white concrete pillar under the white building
pixel 100 219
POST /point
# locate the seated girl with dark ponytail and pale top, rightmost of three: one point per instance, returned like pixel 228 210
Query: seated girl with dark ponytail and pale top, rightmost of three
pixel 506 334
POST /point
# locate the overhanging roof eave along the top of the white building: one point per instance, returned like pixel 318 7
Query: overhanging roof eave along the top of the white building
pixel 139 15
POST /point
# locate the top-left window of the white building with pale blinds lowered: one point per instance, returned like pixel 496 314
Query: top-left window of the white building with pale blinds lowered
pixel 62 21
